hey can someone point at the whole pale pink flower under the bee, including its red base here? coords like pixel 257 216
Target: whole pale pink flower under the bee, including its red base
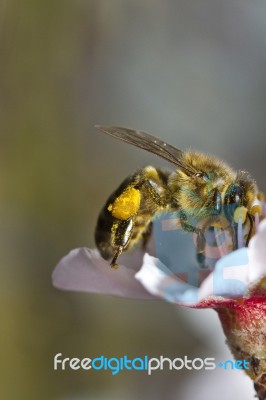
pixel 235 287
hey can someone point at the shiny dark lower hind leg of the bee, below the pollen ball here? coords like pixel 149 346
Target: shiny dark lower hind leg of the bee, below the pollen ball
pixel 121 233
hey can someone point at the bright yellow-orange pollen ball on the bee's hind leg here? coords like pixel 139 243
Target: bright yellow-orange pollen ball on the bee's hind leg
pixel 126 205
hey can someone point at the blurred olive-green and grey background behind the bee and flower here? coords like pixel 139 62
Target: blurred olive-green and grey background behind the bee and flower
pixel 191 72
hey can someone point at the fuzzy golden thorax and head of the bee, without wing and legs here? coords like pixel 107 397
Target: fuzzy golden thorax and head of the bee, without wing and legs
pixel 210 185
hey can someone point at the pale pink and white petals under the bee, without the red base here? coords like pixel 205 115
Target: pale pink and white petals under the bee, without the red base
pixel 144 276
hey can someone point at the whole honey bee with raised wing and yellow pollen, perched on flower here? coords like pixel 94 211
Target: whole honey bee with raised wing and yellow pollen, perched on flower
pixel 201 187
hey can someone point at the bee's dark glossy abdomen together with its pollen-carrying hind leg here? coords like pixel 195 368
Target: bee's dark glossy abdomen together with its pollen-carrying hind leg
pixel 126 216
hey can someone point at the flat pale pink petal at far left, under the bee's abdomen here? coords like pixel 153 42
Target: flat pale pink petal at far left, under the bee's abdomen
pixel 86 271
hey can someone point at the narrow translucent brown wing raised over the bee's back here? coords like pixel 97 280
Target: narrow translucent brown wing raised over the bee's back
pixel 147 142
